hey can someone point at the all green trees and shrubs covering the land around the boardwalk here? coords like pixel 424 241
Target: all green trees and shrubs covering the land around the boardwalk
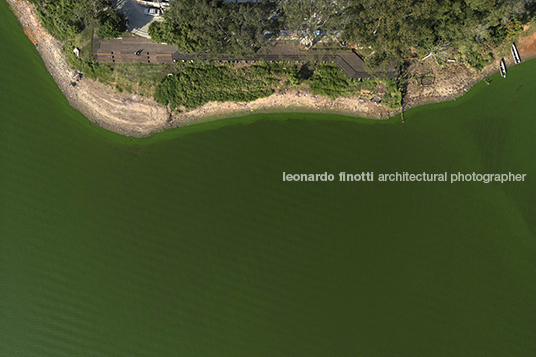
pixel 384 31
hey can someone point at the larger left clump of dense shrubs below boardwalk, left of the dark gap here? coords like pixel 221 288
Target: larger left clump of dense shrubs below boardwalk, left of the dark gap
pixel 194 84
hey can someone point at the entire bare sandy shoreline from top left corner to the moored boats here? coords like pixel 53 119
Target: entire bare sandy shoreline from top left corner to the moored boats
pixel 137 116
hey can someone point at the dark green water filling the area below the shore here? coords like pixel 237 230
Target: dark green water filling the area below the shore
pixel 189 243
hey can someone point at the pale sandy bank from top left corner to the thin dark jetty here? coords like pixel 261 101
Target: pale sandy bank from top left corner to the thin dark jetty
pixel 139 116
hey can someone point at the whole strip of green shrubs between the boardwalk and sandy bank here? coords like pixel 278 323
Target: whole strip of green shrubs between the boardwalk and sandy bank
pixel 194 84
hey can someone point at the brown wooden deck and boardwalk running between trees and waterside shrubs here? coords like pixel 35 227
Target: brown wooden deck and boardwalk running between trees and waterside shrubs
pixel 123 50
